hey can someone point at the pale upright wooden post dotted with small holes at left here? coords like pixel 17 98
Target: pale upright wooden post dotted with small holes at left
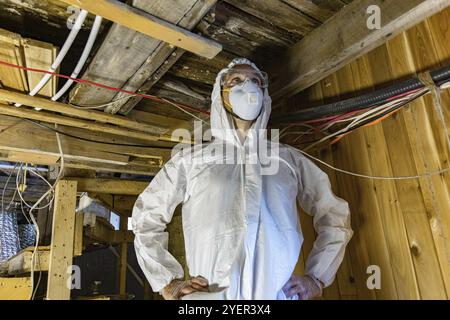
pixel 61 249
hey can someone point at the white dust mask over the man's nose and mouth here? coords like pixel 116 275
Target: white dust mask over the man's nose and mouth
pixel 246 100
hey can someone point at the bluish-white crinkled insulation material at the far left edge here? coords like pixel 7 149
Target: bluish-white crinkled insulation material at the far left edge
pixel 9 235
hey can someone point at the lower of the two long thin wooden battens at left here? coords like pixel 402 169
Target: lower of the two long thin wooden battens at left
pixel 73 122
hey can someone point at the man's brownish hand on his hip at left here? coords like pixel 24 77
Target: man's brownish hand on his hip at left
pixel 179 288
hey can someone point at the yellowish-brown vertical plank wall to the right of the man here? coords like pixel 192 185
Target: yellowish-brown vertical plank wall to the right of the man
pixel 401 226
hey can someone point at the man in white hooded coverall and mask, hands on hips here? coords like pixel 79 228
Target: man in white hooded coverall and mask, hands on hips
pixel 241 227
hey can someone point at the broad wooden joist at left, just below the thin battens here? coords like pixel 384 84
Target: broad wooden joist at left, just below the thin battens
pixel 21 141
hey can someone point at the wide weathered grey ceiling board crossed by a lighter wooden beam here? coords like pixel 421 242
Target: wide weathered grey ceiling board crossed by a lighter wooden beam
pixel 146 59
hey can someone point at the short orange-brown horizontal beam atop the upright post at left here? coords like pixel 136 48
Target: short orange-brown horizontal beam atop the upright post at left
pixel 111 186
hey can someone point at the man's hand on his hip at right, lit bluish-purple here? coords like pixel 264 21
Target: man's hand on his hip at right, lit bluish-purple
pixel 304 286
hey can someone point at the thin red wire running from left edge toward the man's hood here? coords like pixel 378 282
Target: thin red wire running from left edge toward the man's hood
pixel 96 84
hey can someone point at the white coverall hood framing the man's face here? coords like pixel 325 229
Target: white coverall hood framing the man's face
pixel 222 125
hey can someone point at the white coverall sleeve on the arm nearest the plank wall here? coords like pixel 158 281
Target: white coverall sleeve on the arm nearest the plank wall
pixel 331 219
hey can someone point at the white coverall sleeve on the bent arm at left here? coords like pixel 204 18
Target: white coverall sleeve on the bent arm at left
pixel 152 211
